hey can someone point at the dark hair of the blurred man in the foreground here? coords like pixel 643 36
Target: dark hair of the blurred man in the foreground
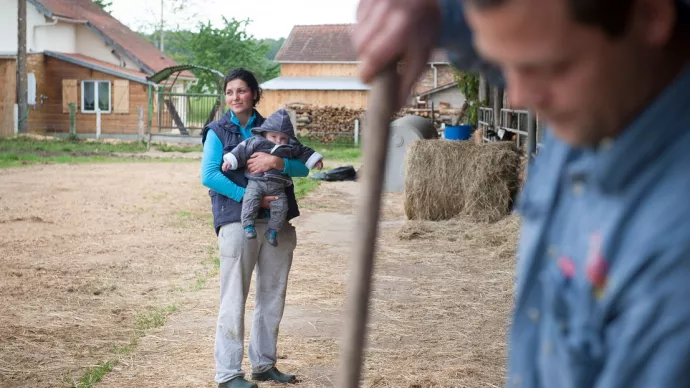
pixel 610 15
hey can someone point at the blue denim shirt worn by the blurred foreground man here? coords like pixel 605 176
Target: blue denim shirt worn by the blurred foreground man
pixel 603 278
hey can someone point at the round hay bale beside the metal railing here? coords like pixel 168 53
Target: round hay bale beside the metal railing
pixel 445 179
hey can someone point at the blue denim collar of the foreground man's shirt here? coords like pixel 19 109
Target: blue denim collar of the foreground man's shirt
pixel 616 162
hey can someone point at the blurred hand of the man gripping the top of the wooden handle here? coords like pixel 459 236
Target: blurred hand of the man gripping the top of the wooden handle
pixel 394 30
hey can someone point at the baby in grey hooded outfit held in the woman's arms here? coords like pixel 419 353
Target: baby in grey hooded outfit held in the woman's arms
pixel 275 136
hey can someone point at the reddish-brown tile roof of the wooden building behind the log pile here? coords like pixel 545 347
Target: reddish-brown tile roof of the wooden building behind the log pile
pixel 326 43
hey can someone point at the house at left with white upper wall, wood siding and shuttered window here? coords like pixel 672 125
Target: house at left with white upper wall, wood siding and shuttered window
pixel 78 53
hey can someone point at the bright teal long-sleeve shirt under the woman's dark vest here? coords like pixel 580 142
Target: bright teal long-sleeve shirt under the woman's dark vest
pixel 212 159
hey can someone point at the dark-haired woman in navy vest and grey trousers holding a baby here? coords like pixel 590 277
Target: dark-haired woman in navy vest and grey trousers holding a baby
pixel 239 256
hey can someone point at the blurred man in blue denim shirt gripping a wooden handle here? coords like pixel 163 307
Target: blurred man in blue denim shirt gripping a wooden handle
pixel 603 277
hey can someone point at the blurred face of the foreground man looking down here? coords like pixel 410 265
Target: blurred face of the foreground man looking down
pixel 577 78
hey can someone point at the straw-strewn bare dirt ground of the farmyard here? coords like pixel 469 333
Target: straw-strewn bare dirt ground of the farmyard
pixel 88 252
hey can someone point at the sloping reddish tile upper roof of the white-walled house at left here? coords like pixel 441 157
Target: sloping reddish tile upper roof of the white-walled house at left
pixel 149 57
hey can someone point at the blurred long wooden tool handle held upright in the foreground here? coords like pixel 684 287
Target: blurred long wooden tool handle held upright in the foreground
pixel 382 105
